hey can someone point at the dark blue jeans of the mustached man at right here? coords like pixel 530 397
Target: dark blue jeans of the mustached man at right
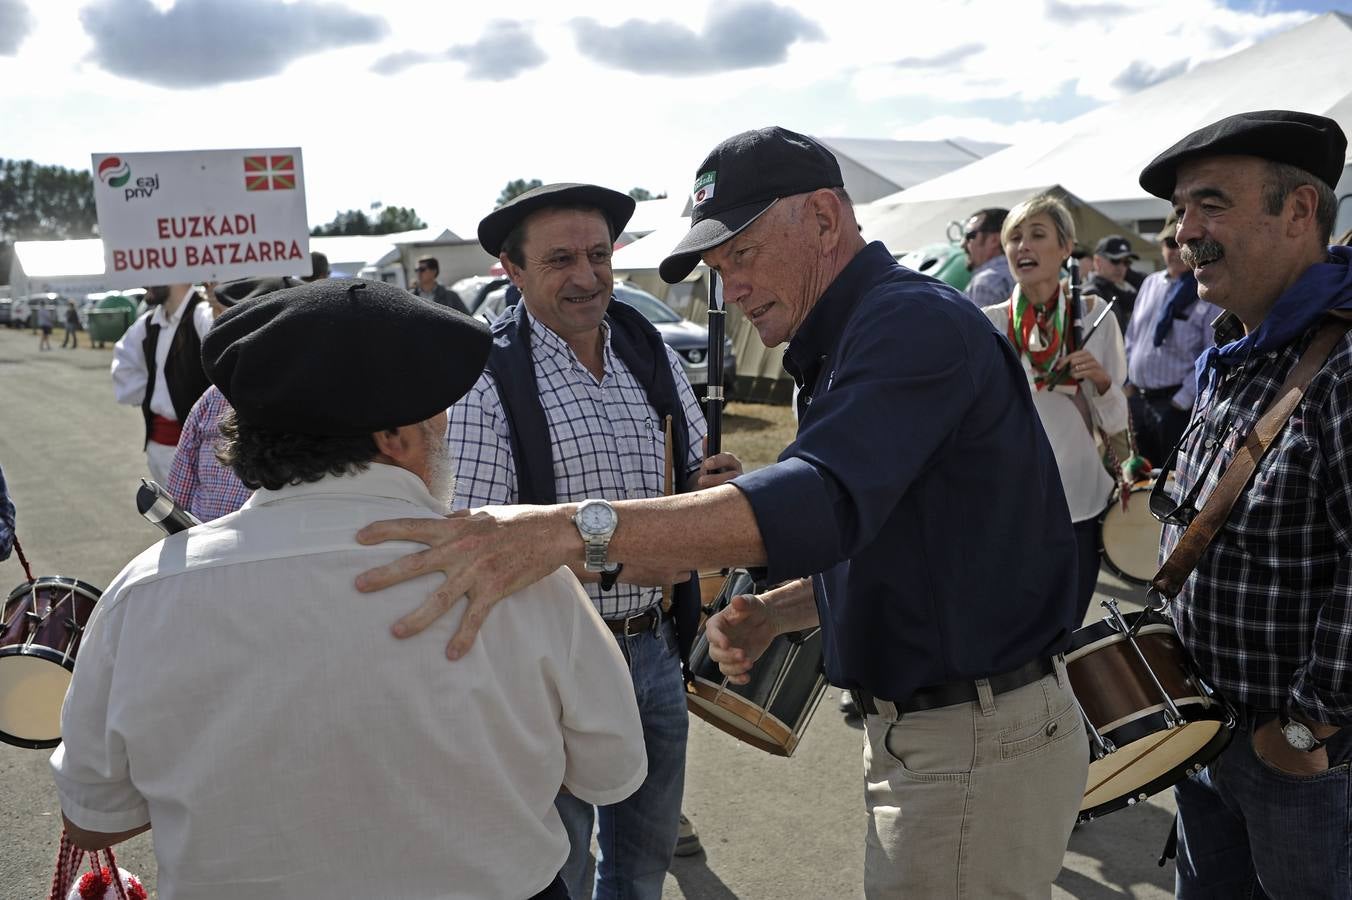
pixel 1247 830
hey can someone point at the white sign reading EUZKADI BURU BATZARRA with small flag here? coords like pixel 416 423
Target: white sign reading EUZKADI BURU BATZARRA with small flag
pixel 201 216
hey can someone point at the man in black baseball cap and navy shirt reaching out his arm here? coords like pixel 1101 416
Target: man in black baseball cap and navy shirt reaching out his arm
pixel 944 586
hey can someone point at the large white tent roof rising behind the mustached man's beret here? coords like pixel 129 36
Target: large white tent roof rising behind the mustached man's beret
pixel 1100 155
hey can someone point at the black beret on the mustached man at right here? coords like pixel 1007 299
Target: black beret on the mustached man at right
pixel 1303 140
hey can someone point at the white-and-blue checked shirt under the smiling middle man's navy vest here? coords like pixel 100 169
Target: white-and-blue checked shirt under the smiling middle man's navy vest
pixel 608 443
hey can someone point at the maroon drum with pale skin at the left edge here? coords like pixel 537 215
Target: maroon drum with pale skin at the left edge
pixel 40 636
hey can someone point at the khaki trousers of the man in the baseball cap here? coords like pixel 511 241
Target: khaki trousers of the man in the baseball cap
pixel 978 799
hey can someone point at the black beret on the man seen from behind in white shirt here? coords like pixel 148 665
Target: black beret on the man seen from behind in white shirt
pixel 341 359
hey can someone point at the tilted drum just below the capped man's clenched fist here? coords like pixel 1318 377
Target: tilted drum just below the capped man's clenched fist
pixel 774 709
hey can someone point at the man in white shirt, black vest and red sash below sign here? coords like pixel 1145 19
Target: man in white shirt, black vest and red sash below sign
pixel 158 367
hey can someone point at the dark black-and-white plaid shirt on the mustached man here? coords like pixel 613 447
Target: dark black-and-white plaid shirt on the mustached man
pixel 1269 613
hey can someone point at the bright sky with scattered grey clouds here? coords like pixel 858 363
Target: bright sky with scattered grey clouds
pixel 439 105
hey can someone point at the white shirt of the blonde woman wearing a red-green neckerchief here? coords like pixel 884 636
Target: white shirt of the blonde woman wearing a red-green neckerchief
pixel 1078 455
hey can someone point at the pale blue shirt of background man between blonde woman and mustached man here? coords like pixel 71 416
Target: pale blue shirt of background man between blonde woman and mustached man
pixel 1174 361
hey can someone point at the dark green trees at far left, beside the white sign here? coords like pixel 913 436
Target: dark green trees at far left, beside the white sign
pixel 43 203
